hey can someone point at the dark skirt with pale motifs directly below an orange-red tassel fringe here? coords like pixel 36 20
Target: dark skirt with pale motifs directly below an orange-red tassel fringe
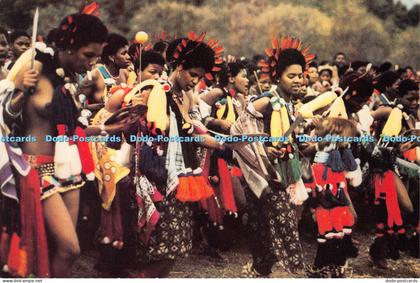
pixel 172 236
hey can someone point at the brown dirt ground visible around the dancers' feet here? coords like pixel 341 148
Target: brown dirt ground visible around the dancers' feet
pixel 199 265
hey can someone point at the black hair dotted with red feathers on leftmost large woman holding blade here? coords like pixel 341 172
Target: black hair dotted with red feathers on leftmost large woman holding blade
pixel 78 30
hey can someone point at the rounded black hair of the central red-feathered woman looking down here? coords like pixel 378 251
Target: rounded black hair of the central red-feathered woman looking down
pixel 198 55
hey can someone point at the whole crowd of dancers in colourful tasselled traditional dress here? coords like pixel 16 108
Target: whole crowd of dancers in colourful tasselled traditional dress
pixel 138 146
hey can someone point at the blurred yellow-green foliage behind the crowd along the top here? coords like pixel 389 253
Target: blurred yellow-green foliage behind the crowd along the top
pixel 375 30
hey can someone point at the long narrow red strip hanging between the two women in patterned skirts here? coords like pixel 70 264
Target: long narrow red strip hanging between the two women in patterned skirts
pixel 226 187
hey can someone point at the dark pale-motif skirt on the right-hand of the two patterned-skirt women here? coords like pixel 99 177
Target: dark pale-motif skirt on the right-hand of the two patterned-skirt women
pixel 273 231
